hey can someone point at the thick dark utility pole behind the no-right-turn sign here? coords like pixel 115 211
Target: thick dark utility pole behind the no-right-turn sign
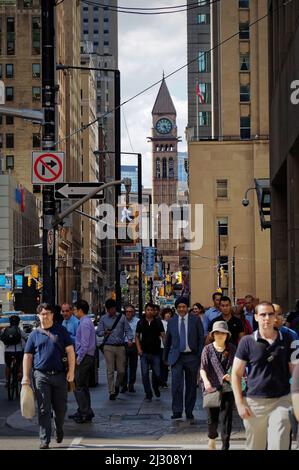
pixel 48 142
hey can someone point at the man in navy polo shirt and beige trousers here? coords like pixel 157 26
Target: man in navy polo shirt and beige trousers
pixel 265 410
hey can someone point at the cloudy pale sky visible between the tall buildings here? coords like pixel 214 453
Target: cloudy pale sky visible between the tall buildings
pixel 149 45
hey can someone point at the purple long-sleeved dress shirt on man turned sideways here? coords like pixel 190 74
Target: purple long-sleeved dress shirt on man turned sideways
pixel 85 339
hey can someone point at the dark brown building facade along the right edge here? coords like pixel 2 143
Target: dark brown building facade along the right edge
pixel 284 150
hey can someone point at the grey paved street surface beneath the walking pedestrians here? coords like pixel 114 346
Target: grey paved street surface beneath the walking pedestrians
pixel 126 423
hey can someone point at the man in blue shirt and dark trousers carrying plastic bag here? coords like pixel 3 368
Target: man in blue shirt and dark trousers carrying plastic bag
pixel 45 349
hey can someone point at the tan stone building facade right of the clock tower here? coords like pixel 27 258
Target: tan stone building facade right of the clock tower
pixel 228 146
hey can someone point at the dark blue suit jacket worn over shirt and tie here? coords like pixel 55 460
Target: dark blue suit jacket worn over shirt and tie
pixel 172 342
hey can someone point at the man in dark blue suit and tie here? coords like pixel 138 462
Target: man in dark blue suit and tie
pixel 182 351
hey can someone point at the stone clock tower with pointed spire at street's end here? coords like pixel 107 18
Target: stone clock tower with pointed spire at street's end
pixel 165 171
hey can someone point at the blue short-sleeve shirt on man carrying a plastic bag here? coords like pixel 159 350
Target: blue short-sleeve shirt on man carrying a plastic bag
pixel 47 352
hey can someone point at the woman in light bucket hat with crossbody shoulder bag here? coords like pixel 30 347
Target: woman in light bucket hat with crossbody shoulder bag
pixel 216 362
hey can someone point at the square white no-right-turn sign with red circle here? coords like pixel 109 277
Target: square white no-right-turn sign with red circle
pixel 47 167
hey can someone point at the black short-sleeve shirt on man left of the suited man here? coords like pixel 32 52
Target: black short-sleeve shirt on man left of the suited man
pixel 150 335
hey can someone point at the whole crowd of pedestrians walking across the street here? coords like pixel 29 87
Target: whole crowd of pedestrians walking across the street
pixel 241 357
